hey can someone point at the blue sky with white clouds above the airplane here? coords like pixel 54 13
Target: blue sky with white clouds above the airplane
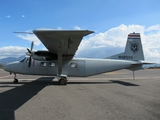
pixel 112 21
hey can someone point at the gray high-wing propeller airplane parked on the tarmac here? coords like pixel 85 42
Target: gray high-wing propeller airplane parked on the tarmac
pixel 59 60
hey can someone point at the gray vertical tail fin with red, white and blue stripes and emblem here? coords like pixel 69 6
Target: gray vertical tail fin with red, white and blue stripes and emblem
pixel 133 50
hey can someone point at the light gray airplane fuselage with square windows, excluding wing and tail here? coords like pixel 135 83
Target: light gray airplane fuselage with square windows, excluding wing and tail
pixel 78 67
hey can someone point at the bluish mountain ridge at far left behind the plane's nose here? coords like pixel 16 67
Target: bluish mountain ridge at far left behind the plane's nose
pixel 4 61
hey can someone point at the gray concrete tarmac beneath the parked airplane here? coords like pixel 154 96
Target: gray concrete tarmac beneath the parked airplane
pixel 111 96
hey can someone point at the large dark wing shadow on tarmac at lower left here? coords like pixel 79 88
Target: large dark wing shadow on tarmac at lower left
pixel 12 99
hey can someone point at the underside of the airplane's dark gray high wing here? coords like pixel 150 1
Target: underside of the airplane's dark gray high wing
pixel 64 41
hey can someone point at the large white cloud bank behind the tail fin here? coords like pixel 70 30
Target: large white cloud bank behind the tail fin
pixel 113 41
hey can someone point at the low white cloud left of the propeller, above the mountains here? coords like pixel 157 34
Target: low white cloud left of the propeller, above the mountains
pixel 12 51
